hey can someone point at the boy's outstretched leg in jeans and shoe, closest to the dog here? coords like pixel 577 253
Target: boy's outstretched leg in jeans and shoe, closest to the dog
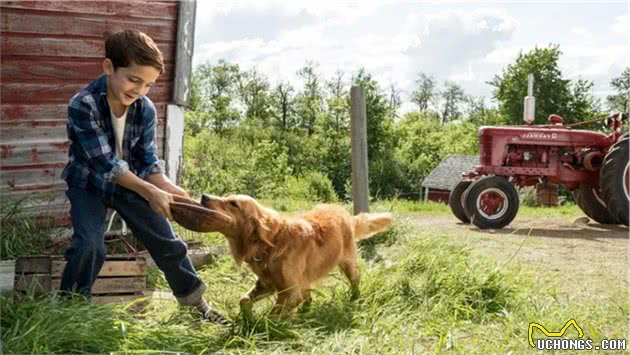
pixel 168 251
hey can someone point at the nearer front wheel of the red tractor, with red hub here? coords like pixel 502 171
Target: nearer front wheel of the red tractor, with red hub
pixel 491 202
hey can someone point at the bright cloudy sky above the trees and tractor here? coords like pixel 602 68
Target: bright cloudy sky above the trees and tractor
pixel 466 41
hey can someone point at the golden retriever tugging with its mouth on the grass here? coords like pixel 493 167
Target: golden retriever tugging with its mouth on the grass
pixel 289 253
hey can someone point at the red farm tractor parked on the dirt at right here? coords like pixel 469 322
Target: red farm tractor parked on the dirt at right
pixel 593 165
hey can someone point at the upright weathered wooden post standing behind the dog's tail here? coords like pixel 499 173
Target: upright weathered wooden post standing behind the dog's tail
pixel 358 127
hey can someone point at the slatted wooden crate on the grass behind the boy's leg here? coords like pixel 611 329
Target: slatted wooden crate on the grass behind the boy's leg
pixel 122 278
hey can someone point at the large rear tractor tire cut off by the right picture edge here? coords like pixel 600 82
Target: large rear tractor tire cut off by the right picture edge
pixel 614 179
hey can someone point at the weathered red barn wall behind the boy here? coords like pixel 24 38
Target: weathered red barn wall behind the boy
pixel 49 50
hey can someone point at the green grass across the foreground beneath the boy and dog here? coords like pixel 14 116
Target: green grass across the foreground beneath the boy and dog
pixel 422 291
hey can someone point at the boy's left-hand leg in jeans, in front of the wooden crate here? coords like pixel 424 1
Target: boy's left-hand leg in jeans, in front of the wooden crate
pixel 87 254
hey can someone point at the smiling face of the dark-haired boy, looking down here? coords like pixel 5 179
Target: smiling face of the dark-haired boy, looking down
pixel 126 84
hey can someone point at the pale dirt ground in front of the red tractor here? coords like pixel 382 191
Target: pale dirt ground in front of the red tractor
pixel 575 257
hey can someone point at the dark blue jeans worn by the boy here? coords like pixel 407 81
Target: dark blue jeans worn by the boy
pixel 87 254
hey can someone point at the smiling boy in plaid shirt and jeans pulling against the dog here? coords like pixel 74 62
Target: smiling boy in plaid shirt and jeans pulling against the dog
pixel 113 163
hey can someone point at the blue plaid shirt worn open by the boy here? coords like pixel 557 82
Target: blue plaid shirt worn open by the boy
pixel 92 161
